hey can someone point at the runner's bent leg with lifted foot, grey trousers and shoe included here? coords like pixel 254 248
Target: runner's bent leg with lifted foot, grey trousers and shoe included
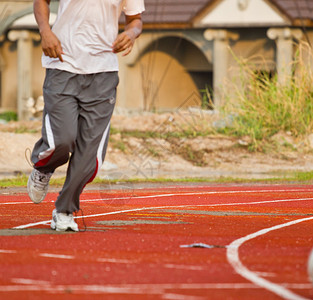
pixel 59 130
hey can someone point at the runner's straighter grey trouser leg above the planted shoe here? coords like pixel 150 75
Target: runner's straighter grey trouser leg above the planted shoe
pixel 97 101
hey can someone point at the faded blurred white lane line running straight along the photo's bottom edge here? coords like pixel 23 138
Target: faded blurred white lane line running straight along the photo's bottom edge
pixel 147 289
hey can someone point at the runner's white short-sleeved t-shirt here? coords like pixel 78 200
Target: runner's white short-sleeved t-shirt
pixel 87 30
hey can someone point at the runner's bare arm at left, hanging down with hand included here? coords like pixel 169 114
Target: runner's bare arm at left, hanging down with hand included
pixel 51 46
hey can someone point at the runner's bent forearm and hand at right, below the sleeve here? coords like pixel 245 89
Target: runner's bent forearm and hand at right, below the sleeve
pixel 125 41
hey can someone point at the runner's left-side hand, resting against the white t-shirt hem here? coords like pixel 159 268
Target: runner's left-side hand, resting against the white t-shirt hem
pixel 51 46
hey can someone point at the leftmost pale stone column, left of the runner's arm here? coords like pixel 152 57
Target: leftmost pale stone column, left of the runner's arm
pixel 24 40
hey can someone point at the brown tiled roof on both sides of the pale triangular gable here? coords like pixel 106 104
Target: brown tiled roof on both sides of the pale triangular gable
pixel 183 12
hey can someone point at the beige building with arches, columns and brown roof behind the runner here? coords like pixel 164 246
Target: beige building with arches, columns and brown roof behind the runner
pixel 187 46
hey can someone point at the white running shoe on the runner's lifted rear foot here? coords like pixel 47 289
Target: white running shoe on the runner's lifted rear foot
pixel 37 185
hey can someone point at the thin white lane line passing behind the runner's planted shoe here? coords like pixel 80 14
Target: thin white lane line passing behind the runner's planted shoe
pixel 165 207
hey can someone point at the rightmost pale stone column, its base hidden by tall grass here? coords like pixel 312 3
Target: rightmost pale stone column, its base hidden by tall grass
pixel 284 55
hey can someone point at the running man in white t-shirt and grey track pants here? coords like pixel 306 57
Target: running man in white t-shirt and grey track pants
pixel 79 54
